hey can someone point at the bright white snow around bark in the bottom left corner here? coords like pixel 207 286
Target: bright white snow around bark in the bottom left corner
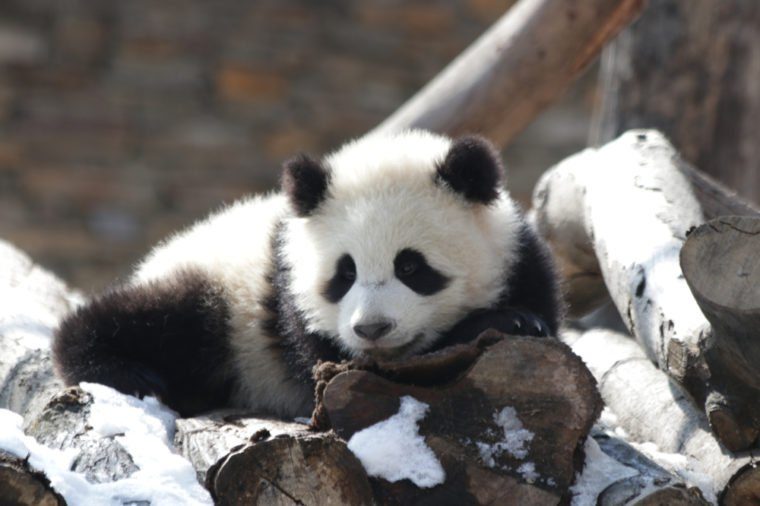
pixel 143 427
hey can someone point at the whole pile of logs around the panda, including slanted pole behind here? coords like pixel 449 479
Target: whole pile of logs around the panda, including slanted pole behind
pixel 663 306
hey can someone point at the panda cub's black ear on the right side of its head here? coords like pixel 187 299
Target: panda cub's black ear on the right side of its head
pixel 473 169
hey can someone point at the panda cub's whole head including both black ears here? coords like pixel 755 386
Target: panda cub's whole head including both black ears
pixel 395 238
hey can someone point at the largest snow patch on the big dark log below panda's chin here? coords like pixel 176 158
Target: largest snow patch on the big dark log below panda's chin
pixel 394 450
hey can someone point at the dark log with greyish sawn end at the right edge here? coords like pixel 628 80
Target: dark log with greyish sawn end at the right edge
pixel 719 261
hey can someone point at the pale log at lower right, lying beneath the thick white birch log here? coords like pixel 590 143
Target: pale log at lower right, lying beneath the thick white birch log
pixel 651 407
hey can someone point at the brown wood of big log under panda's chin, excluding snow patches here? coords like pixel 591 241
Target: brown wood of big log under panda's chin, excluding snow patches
pixel 550 390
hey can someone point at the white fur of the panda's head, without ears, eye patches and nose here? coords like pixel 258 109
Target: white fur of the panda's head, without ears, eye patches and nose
pixel 381 200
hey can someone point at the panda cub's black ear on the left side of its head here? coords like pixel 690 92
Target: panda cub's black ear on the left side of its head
pixel 304 181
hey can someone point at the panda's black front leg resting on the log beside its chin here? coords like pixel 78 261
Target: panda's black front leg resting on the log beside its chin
pixel 510 320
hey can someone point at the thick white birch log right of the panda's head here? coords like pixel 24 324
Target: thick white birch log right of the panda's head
pixel 627 208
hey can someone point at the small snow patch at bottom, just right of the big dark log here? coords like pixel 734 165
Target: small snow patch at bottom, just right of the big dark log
pixel 599 472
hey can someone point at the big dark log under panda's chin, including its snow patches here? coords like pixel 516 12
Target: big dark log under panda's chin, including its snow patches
pixel 506 423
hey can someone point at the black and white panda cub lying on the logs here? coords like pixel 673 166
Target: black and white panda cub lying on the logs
pixel 391 246
